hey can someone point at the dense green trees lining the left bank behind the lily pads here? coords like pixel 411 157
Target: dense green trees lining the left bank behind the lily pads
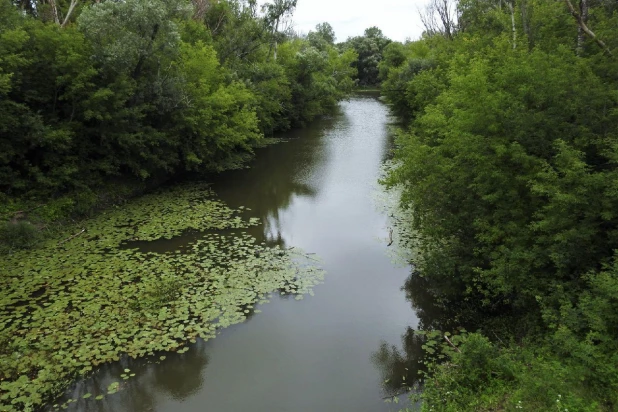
pixel 144 89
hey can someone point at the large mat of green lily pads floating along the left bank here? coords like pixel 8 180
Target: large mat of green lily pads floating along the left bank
pixel 82 300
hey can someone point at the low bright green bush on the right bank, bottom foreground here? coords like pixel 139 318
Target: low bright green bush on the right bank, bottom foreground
pixel 482 376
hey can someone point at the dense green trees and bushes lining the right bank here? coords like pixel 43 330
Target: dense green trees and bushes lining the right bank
pixel 509 168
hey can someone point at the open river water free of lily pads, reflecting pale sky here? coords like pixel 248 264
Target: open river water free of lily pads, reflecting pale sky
pixel 316 191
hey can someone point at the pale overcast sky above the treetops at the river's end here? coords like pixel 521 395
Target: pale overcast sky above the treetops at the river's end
pixel 398 19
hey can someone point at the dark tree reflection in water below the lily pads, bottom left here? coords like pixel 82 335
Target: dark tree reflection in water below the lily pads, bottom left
pixel 178 377
